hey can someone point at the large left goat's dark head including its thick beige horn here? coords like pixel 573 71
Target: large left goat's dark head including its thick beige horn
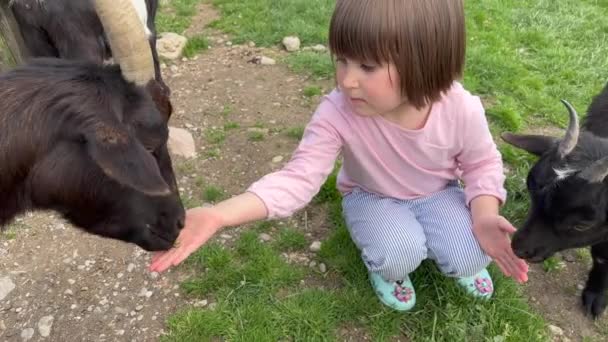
pixel 135 196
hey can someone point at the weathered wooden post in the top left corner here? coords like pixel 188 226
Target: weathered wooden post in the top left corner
pixel 12 48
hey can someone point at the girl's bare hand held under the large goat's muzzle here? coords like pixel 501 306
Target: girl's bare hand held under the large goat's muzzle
pixel 201 224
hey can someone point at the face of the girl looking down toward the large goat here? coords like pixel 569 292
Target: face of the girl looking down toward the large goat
pixel 371 89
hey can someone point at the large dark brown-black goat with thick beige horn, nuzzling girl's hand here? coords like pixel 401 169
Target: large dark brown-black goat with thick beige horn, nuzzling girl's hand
pixel 90 142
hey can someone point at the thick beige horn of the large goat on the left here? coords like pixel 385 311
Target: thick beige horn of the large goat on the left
pixel 127 39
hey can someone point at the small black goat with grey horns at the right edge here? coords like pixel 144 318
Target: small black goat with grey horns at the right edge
pixel 569 196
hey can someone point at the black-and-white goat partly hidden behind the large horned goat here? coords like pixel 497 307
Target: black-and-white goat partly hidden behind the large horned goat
pixel 72 29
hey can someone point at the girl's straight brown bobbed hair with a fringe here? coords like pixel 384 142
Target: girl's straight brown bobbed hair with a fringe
pixel 425 39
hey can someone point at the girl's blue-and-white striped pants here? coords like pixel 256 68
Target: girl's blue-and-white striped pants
pixel 395 236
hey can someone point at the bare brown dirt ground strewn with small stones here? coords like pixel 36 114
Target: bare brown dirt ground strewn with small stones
pixel 58 282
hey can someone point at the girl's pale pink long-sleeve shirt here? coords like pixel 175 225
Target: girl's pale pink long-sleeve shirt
pixel 383 158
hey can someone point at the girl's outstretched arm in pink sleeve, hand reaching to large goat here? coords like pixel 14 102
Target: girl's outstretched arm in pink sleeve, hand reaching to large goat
pixel 278 194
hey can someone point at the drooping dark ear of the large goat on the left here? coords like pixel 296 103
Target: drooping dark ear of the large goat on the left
pixel 124 159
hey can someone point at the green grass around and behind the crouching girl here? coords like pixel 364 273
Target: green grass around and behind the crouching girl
pixel 522 57
